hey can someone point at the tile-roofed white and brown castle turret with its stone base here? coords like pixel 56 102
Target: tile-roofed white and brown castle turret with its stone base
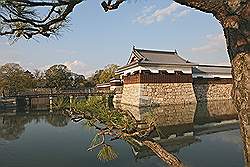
pixel 156 78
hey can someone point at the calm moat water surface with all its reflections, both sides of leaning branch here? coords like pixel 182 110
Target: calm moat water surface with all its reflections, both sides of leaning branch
pixel 205 134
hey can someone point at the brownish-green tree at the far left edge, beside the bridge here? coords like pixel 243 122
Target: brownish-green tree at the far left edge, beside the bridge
pixel 13 79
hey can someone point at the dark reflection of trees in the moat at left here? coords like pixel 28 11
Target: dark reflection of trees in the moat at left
pixel 13 126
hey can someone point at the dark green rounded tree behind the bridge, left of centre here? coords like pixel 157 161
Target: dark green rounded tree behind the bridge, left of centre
pixel 58 77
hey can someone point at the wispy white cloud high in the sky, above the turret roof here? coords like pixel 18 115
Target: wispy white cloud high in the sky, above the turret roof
pixel 150 16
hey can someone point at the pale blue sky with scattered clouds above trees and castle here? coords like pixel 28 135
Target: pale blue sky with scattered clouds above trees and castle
pixel 96 39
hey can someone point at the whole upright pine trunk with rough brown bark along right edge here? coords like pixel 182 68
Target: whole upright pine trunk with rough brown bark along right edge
pixel 236 28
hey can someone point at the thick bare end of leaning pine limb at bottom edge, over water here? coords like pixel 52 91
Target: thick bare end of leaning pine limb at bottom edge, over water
pixel 167 157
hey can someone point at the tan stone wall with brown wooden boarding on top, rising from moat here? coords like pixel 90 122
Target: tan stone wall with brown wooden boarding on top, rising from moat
pixel 159 89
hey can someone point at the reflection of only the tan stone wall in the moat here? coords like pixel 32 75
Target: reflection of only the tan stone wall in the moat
pixel 202 112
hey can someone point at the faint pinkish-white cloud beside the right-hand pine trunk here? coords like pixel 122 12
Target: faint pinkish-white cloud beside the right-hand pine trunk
pixel 214 43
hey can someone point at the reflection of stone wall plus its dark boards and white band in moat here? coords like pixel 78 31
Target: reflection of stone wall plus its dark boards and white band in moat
pixel 181 120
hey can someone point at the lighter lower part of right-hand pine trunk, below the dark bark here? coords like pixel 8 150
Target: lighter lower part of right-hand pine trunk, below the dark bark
pixel 240 94
